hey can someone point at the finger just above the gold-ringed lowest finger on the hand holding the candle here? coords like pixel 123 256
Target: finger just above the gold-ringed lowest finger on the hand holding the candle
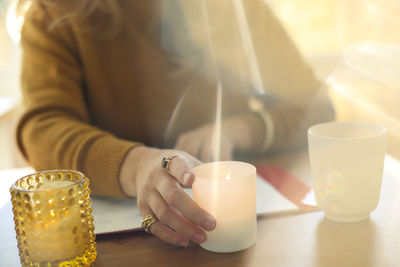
pixel 170 217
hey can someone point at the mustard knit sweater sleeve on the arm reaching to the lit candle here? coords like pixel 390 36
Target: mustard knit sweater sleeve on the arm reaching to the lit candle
pixel 54 131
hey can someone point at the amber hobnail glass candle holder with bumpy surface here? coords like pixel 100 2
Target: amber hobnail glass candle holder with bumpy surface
pixel 53 219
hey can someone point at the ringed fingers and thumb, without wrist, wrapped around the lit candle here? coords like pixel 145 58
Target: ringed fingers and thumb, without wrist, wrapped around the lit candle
pixel 180 219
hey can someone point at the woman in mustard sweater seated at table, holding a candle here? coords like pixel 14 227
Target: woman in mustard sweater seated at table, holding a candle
pixel 104 93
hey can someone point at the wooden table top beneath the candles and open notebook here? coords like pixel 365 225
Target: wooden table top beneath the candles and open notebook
pixel 283 240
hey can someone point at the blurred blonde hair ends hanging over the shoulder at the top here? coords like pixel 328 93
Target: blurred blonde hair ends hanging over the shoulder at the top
pixel 81 9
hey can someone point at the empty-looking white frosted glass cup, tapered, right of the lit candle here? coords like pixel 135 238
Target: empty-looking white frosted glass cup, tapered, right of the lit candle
pixel 347 160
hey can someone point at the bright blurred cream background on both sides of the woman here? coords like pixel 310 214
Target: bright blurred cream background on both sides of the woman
pixel 353 47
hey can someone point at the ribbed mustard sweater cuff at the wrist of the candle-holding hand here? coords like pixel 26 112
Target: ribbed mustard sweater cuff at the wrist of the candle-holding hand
pixel 103 164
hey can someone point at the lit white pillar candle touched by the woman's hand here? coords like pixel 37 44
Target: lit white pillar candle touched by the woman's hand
pixel 227 190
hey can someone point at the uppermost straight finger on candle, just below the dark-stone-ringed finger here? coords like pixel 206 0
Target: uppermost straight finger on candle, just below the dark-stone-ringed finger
pixel 174 195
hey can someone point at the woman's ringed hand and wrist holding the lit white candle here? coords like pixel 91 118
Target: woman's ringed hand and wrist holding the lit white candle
pixel 180 219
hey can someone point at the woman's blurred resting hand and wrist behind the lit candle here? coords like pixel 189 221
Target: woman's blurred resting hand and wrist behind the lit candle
pixel 242 133
